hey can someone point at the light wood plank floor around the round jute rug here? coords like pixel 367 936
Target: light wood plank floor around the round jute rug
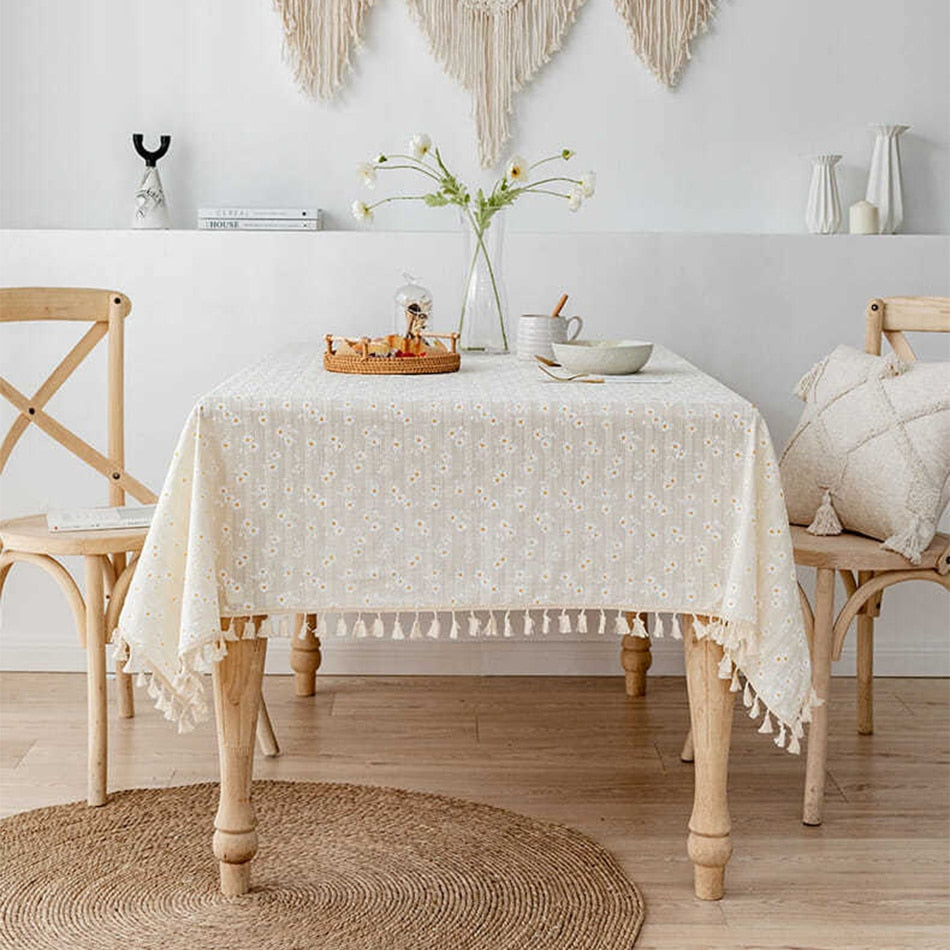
pixel 577 751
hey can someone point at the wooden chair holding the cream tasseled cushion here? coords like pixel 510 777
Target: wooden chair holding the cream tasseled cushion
pixel 865 568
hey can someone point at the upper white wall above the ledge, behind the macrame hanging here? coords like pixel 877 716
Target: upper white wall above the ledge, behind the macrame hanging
pixel 772 82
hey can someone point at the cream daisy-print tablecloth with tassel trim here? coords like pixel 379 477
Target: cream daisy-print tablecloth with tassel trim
pixel 490 502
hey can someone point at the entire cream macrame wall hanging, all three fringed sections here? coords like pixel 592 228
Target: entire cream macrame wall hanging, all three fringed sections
pixel 491 47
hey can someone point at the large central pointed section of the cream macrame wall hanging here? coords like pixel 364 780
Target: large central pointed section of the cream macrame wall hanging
pixel 493 47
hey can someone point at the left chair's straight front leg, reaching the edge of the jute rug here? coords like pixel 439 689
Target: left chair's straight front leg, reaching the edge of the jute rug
pixel 97 718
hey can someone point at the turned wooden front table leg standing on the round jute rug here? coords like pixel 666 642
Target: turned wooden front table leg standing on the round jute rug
pixel 237 699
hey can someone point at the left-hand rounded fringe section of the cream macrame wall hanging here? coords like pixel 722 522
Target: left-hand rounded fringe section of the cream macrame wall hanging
pixel 318 37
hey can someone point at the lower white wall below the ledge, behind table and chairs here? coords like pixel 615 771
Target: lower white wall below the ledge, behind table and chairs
pixel 754 311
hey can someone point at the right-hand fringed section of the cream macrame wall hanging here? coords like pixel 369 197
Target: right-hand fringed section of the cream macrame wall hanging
pixel 661 31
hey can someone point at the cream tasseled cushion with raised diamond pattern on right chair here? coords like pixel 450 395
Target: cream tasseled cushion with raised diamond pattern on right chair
pixel 875 436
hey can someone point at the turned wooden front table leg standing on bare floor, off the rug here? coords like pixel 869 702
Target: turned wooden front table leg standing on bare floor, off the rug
pixel 710 710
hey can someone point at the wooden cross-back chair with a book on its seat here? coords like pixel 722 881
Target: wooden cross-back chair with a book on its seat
pixel 106 553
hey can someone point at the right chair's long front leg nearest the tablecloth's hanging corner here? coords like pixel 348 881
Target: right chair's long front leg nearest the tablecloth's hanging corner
pixel 821 682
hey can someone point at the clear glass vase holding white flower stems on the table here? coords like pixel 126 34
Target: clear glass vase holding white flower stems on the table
pixel 482 325
